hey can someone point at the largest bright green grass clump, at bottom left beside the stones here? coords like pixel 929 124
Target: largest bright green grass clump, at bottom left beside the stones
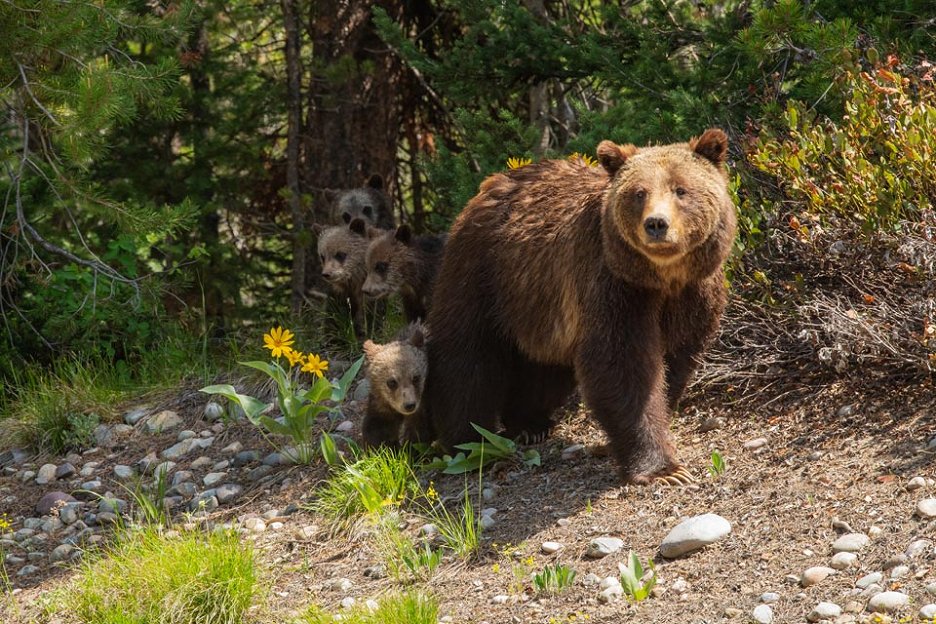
pixel 148 578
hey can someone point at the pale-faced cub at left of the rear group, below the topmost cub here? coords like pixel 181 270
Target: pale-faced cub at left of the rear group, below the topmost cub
pixel 342 250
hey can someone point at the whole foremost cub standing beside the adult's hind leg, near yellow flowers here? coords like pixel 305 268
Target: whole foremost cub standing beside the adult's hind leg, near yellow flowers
pixel 397 375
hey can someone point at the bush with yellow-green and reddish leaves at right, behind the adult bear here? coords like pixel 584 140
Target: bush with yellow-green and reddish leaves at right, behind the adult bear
pixel 875 165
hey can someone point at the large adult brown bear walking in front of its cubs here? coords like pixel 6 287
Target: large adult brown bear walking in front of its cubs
pixel 557 273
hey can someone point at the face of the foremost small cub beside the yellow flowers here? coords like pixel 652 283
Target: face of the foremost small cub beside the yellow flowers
pixel 397 374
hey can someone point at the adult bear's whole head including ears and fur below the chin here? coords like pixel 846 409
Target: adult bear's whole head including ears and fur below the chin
pixel 670 204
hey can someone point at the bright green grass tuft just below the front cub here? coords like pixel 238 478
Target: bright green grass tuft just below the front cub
pixel 378 479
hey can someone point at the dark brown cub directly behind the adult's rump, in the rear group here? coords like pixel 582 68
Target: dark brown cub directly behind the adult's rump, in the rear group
pixel 399 262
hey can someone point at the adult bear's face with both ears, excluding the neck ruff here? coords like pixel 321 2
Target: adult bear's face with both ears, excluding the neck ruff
pixel 666 201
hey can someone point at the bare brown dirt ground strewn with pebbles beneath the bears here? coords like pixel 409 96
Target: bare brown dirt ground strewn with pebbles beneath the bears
pixel 839 458
